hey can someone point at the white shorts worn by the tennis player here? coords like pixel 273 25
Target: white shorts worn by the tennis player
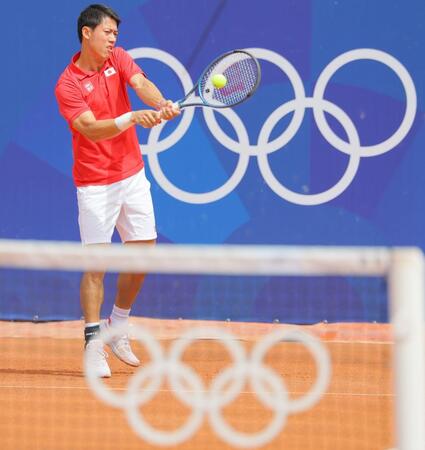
pixel 126 204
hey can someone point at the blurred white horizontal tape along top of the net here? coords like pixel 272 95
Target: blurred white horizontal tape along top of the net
pixel 217 259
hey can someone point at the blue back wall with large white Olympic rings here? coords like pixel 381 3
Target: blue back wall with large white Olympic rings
pixel 372 100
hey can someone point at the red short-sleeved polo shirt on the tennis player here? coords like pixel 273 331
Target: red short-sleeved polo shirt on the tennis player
pixel 104 92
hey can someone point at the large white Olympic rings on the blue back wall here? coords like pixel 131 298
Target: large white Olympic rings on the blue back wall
pixel 245 149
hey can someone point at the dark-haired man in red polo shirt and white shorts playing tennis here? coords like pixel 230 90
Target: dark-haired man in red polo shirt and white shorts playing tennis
pixel 108 171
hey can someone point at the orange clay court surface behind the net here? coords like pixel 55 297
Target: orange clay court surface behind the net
pixel 45 403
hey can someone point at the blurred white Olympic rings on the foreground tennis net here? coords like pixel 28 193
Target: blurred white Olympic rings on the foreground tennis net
pixel 189 388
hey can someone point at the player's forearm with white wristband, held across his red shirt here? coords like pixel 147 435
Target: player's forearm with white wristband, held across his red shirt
pixel 99 130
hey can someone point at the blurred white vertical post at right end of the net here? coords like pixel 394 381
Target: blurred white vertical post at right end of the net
pixel 407 314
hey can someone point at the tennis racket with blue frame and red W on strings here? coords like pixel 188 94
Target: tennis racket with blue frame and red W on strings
pixel 243 73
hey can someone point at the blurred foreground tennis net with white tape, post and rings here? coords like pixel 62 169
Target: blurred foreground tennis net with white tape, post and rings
pixel 241 347
